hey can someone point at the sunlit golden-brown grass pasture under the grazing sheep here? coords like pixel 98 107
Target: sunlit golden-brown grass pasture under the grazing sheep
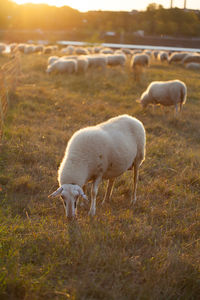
pixel 149 251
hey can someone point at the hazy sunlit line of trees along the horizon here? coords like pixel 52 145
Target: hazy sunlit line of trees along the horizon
pixel 155 20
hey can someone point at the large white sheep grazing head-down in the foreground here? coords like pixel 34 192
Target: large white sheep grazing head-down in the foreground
pixel 94 153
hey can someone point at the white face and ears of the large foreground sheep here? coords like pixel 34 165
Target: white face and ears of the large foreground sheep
pixel 69 194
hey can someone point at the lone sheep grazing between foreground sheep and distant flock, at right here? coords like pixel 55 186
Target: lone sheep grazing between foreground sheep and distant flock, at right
pixel 166 93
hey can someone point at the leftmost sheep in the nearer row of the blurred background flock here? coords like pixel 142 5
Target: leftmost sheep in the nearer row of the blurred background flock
pixel 62 65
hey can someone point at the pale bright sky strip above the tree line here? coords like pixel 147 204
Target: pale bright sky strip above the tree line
pixel 123 5
